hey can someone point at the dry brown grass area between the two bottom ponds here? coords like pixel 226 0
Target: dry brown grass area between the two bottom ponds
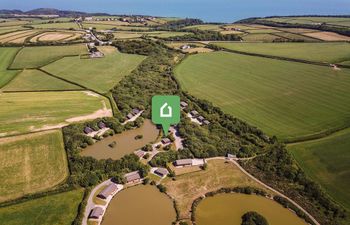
pixel 186 188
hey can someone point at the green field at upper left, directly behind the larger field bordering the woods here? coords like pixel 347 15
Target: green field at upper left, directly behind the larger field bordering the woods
pixel 34 57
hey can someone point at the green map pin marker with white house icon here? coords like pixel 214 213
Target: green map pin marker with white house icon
pixel 166 111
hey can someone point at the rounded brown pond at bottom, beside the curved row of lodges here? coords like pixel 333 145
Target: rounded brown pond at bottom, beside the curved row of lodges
pixel 140 205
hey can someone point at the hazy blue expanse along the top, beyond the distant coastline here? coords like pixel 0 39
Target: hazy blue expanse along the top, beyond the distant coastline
pixel 207 10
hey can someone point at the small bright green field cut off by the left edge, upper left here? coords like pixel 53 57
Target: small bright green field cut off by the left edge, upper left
pixel 6 56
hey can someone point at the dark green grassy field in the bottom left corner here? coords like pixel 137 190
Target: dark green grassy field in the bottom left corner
pixel 59 209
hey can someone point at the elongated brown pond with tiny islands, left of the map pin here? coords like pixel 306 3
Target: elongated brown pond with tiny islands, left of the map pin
pixel 125 143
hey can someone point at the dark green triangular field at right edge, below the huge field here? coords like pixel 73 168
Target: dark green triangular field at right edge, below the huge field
pixel 326 161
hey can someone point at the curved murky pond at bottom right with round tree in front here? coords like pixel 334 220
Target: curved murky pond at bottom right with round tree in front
pixel 227 209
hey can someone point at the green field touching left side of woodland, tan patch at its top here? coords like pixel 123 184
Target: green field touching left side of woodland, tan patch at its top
pixel 100 74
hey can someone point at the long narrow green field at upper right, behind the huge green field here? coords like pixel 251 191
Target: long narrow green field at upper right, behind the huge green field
pixel 317 52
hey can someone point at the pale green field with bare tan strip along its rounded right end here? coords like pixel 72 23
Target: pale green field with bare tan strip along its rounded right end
pixel 32 111
